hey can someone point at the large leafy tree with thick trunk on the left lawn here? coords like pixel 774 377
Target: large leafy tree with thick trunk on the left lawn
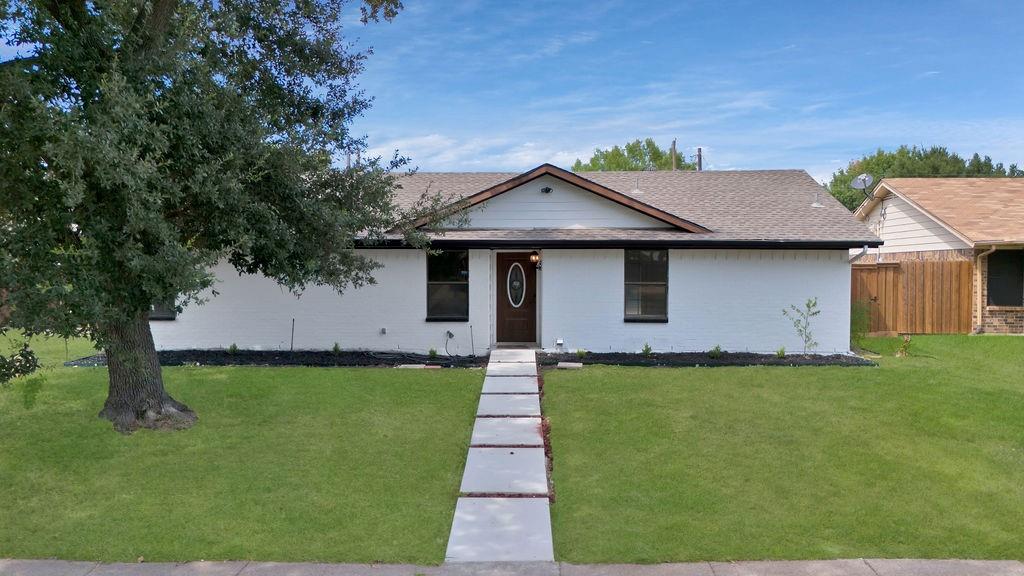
pixel 143 142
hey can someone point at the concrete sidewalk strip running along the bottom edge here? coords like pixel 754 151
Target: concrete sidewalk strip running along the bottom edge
pixel 775 568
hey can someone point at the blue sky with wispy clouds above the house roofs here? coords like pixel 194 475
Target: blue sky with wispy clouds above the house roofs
pixel 509 86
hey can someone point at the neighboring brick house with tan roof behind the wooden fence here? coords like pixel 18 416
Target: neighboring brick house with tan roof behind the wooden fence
pixel 976 221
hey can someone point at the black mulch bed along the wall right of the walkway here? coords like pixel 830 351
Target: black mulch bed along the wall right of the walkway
pixel 694 359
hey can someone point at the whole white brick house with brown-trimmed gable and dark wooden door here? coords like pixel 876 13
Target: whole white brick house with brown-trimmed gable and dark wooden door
pixel 602 262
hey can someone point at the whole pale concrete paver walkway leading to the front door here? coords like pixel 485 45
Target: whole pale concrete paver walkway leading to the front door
pixel 503 514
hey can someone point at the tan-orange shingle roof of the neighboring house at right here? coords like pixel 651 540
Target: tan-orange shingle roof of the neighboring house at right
pixel 979 212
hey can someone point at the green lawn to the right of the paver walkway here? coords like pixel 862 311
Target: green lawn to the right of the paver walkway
pixel 921 458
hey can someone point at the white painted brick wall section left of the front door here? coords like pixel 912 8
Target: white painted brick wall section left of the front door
pixel 254 313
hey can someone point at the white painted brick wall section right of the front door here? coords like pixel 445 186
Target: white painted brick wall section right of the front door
pixel 733 299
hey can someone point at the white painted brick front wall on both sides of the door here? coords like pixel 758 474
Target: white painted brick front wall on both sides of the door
pixel 733 299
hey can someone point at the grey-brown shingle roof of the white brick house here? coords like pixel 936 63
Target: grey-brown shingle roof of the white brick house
pixel 772 207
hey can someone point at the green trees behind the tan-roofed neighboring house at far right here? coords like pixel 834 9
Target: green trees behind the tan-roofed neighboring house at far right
pixel 913 162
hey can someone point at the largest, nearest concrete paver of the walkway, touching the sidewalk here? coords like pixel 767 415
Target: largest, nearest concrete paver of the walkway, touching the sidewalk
pixel 501 530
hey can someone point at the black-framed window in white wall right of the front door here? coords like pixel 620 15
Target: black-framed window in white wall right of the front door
pixel 647 286
